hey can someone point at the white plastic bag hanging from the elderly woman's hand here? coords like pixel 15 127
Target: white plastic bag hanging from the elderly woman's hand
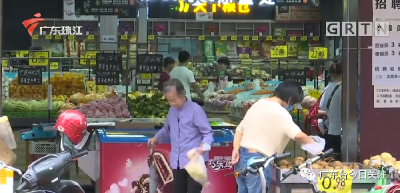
pixel 196 167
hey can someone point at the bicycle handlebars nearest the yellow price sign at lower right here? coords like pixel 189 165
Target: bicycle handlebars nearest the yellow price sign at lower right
pixel 307 164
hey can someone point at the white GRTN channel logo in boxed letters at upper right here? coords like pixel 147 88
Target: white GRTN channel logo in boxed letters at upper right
pixel 358 29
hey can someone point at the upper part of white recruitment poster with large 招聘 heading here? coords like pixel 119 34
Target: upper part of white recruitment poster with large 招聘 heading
pixel 386 49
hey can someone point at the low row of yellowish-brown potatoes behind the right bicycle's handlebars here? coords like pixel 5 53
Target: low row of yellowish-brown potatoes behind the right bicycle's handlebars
pixel 285 164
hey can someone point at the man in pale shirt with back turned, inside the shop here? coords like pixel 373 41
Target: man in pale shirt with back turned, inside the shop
pixel 185 76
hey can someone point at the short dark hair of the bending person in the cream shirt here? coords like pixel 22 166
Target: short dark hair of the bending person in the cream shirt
pixel 290 92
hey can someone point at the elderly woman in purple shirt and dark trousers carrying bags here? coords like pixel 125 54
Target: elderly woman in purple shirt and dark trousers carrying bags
pixel 187 126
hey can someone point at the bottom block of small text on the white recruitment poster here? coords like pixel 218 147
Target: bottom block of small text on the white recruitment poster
pixel 387 96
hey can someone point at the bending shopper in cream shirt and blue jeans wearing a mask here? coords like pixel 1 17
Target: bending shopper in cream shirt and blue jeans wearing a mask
pixel 266 129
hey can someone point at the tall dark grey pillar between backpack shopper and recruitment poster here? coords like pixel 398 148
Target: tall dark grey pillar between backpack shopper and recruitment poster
pixel 351 52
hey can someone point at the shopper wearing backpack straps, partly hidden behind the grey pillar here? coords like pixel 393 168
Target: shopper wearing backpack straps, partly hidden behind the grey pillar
pixel 331 102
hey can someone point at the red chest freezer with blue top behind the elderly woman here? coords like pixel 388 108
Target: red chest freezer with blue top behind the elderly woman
pixel 124 153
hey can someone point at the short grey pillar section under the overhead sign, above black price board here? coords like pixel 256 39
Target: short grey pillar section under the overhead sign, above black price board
pixel 109 33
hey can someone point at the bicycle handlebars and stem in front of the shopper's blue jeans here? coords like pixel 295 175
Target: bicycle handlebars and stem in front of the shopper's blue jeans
pixel 256 165
